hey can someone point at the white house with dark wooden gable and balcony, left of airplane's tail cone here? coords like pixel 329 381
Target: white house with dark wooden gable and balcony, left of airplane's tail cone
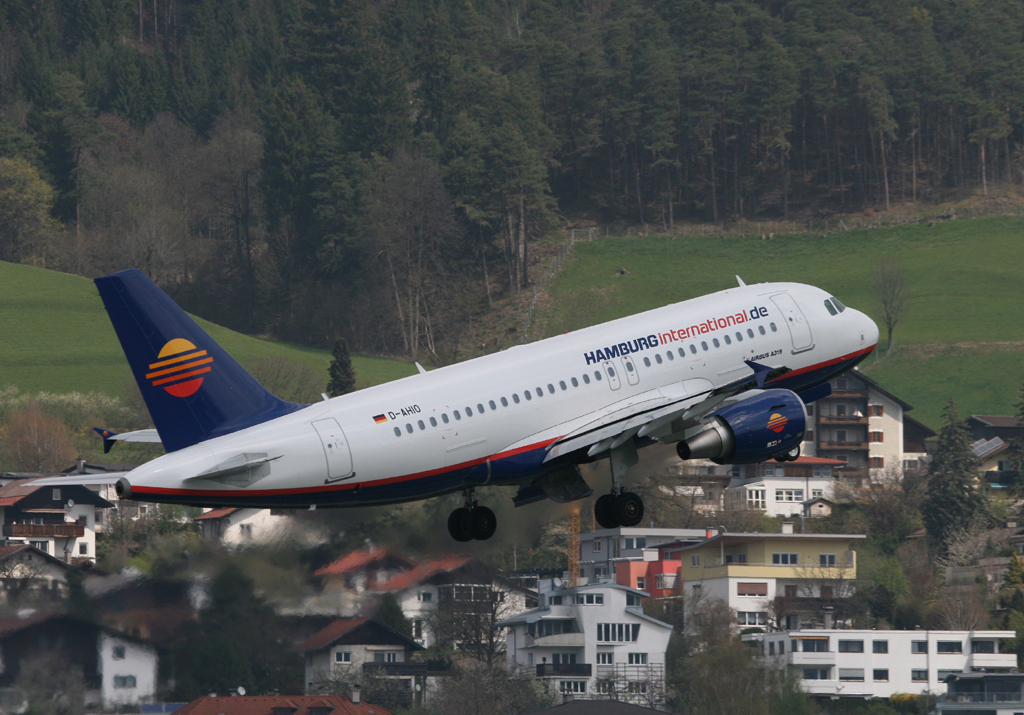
pixel 58 521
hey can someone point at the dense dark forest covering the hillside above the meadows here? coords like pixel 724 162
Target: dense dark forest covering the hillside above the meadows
pixel 378 170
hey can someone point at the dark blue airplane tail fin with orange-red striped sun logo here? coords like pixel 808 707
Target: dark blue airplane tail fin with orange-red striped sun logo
pixel 194 390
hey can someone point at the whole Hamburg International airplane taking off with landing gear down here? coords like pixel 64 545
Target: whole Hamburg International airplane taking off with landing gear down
pixel 727 377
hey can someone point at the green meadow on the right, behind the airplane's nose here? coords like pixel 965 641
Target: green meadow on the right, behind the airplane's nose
pixel 967 286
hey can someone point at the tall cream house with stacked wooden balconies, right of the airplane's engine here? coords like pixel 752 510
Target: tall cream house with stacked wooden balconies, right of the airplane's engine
pixel 866 427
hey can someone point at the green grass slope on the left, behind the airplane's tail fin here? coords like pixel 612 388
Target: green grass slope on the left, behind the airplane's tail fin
pixel 57 339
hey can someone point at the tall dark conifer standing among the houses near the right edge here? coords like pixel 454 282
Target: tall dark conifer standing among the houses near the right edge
pixel 954 499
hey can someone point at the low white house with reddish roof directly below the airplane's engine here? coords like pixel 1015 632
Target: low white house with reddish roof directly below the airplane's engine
pixel 782 489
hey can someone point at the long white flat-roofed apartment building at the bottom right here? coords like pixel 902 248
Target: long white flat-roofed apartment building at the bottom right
pixel 880 664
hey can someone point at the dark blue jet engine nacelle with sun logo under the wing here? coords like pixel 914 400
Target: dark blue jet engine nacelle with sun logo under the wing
pixel 754 431
